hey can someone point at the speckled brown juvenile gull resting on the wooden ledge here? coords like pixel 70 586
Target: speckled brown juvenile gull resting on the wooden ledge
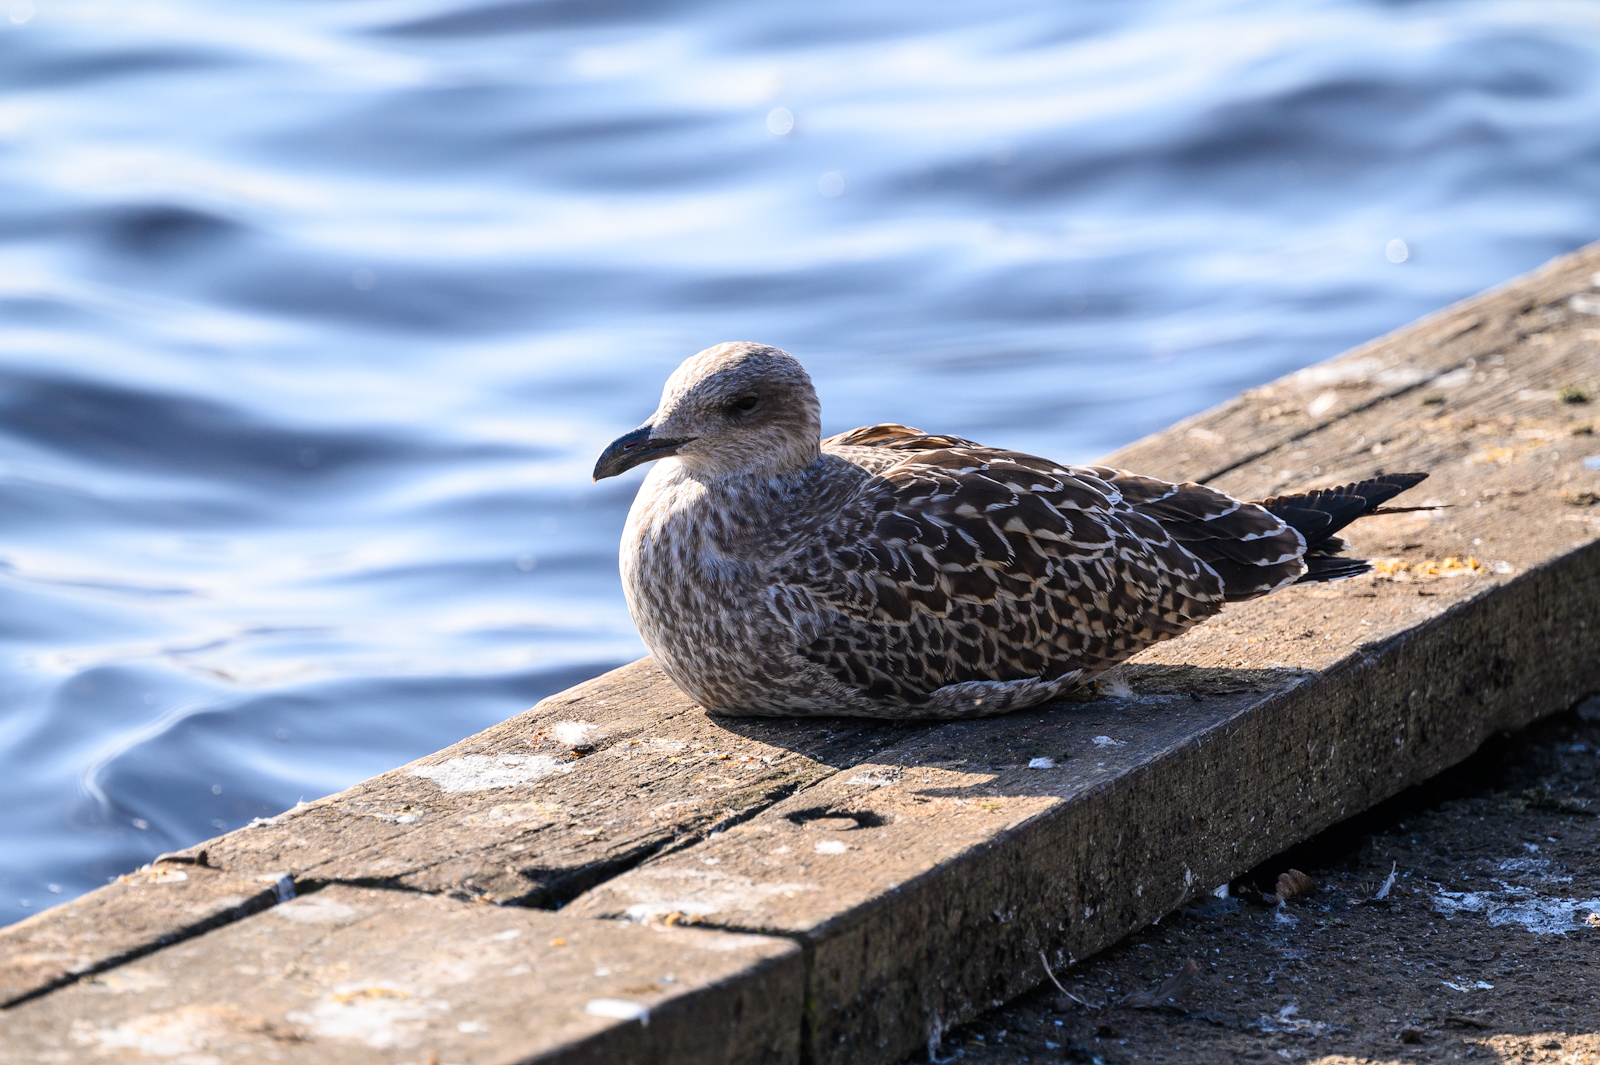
pixel 890 573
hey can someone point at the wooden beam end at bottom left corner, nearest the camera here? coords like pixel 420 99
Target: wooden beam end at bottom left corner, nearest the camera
pixel 359 975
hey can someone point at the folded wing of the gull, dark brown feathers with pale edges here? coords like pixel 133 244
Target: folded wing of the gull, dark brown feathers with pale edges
pixel 964 564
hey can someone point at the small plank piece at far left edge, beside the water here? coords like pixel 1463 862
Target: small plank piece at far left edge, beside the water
pixel 121 922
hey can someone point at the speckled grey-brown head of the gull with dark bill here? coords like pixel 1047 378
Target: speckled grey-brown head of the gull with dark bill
pixel 734 410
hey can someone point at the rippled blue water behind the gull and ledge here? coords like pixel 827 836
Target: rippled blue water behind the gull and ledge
pixel 316 316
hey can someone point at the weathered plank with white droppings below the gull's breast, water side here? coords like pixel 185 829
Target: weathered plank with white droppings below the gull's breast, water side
pixel 546 805
